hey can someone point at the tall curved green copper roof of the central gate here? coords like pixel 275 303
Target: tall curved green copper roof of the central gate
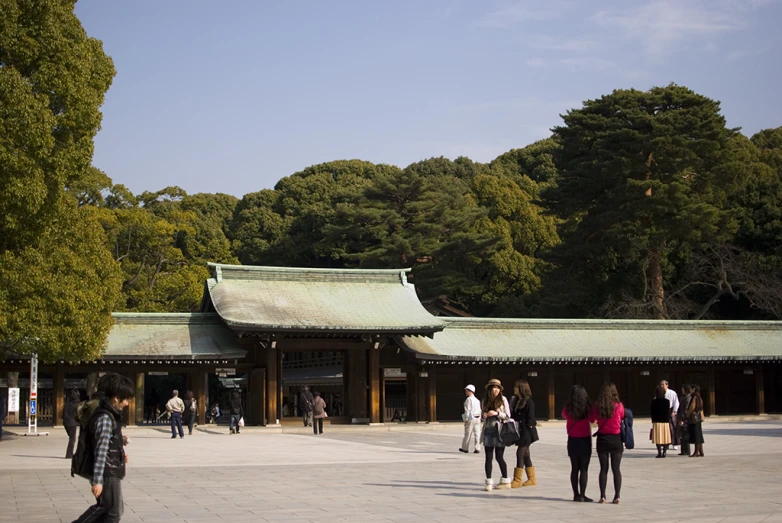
pixel 280 299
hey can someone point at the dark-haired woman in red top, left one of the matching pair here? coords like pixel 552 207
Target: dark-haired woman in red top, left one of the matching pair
pixel 579 441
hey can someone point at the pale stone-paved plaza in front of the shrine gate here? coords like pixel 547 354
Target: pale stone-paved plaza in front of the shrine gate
pixel 409 473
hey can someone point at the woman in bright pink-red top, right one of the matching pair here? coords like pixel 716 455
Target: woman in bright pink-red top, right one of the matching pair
pixel 608 413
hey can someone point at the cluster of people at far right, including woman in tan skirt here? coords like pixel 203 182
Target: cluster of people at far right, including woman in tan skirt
pixel 677 421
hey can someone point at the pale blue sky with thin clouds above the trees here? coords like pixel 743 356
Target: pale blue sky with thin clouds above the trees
pixel 232 96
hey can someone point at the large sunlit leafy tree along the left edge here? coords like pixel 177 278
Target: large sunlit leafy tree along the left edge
pixel 55 281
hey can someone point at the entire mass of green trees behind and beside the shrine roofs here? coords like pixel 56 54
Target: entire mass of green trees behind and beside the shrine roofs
pixel 641 204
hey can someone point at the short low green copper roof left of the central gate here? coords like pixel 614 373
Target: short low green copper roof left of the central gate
pixel 171 336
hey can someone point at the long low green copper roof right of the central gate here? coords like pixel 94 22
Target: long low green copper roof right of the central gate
pixel 491 339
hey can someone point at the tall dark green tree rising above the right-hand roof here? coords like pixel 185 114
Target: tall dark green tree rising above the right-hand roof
pixel 642 182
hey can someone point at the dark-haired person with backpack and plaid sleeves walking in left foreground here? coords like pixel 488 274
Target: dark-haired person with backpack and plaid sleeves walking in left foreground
pixel 106 441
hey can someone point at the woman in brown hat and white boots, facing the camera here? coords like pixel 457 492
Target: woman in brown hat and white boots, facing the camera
pixel 495 411
